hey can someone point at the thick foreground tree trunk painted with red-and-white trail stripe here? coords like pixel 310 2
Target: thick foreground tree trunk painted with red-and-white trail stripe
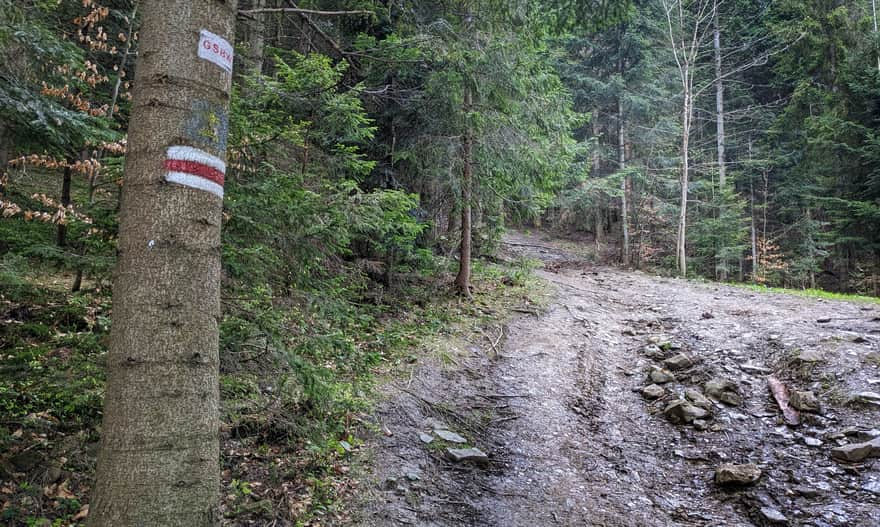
pixel 159 457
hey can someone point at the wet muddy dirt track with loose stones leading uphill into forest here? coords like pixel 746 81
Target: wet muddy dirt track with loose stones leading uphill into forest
pixel 556 402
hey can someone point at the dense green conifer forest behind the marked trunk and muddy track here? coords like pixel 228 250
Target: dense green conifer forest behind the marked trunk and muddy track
pixel 734 140
